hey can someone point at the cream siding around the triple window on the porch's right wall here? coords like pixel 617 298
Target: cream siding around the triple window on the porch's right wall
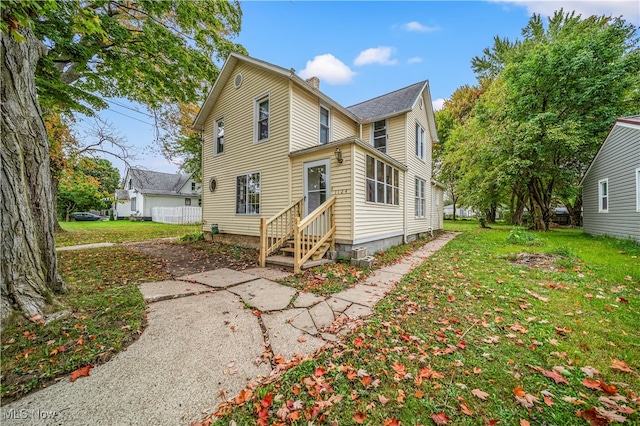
pixel 373 220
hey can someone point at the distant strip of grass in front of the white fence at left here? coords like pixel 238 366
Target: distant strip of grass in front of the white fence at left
pixel 117 231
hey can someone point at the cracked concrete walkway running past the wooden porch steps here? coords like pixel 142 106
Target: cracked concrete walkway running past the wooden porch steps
pixel 202 345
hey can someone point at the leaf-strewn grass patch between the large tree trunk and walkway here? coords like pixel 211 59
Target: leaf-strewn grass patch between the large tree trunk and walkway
pixel 106 313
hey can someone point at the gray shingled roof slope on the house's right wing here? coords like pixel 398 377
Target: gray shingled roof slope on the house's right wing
pixel 387 105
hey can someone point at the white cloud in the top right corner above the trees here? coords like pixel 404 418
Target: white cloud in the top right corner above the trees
pixel 628 9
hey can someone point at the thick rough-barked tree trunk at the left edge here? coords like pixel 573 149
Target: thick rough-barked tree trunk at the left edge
pixel 27 256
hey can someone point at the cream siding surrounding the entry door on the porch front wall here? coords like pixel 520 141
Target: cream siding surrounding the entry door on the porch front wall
pixel 340 183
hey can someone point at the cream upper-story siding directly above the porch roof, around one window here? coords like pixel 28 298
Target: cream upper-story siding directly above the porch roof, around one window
pixel 305 124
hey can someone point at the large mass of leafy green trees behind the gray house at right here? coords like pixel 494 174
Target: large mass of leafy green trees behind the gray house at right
pixel 548 102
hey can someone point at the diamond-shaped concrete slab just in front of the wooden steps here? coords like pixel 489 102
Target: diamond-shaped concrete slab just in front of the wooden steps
pixel 264 295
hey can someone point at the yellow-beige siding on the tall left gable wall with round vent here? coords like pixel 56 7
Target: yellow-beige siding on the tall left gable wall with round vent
pixel 241 155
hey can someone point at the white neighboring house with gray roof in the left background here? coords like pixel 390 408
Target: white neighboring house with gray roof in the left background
pixel 144 189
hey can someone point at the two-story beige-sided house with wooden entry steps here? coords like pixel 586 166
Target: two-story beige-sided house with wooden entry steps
pixel 288 169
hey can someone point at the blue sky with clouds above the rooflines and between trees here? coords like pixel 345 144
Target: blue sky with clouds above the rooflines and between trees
pixel 362 49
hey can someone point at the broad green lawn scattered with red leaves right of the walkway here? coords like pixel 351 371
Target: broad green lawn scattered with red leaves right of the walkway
pixel 470 337
